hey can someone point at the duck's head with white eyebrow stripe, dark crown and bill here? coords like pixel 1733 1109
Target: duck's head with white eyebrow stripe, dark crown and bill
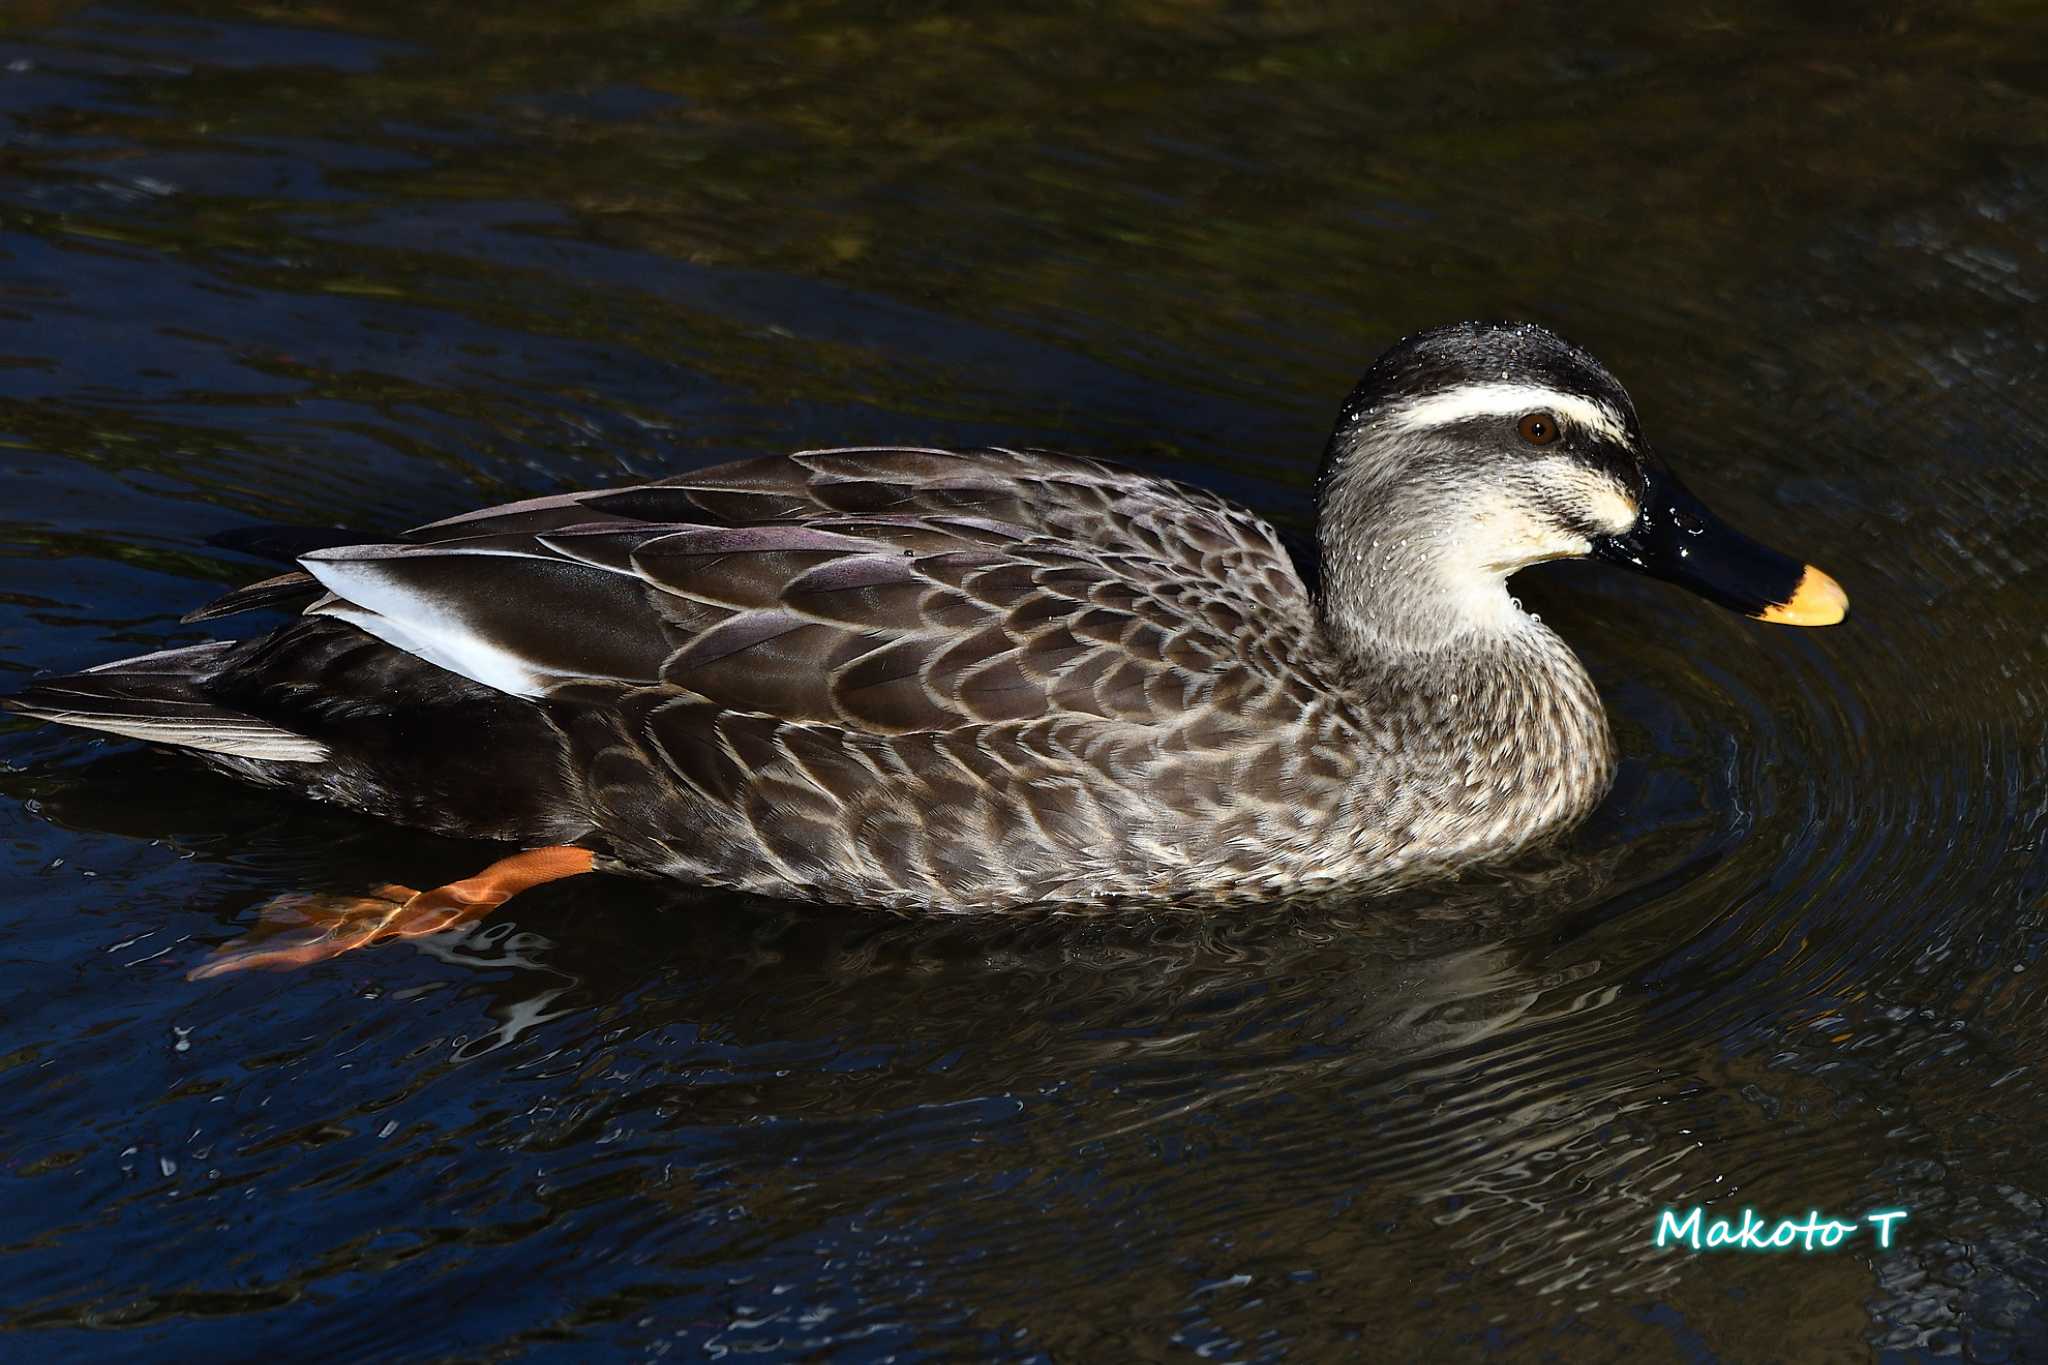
pixel 1480 449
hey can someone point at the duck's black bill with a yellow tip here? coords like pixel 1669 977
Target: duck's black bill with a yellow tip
pixel 1682 541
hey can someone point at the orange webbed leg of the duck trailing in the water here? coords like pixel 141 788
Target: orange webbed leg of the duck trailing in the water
pixel 298 930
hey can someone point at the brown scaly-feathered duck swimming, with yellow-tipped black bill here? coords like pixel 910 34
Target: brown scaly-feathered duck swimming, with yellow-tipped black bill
pixel 968 680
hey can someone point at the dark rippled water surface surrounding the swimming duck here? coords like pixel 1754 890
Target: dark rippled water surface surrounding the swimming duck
pixel 376 263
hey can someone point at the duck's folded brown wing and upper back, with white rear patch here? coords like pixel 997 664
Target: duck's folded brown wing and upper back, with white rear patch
pixel 906 611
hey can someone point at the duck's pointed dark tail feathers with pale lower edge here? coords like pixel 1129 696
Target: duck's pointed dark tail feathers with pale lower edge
pixel 159 699
